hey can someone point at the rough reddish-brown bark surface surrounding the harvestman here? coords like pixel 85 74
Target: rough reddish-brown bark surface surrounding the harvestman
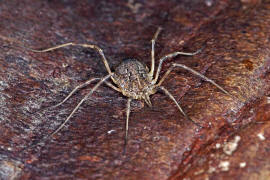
pixel 234 142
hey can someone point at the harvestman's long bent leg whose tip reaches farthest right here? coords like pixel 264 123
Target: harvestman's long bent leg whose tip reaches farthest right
pixel 194 72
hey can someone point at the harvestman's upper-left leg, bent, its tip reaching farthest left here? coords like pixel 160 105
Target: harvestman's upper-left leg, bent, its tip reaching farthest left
pixel 100 51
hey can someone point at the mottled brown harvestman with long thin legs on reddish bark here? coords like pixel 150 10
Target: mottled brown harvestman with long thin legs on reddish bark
pixel 132 79
